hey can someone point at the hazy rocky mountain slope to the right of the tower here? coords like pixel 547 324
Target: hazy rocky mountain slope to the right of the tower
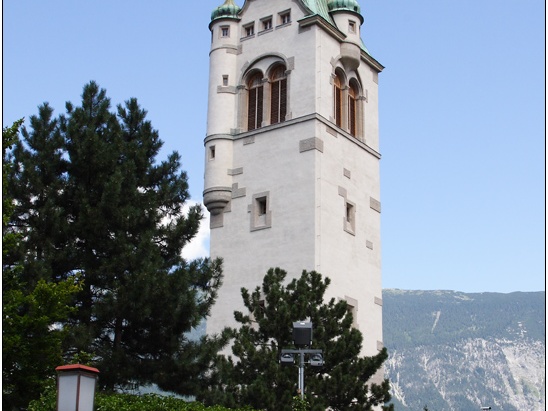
pixel 458 351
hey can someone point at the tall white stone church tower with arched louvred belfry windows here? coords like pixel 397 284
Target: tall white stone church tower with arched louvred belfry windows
pixel 292 153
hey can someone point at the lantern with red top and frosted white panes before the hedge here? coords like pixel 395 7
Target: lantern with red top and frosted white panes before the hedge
pixel 76 387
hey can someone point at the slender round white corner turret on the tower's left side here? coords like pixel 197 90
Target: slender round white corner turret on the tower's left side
pixel 222 104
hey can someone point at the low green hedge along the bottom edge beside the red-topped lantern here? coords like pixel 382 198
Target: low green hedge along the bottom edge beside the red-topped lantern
pixel 127 402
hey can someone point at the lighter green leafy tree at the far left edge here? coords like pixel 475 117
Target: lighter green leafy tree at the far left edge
pixel 31 341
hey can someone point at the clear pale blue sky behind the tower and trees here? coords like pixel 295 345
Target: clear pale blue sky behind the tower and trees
pixel 462 116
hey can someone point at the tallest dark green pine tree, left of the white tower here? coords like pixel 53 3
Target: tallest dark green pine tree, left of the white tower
pixel 93 200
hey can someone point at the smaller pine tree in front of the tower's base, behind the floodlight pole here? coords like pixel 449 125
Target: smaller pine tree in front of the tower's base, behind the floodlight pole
pixel 254 376
